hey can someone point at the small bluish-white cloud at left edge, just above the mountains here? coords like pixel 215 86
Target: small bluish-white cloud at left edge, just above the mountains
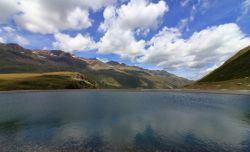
pixel 11 35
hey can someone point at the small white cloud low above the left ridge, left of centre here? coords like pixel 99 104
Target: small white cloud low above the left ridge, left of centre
pixel 77 43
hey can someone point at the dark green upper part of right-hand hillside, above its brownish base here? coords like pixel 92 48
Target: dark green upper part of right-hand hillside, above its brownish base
pixel 237 67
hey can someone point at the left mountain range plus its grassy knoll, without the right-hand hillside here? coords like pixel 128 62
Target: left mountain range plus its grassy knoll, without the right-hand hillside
pixel 28 69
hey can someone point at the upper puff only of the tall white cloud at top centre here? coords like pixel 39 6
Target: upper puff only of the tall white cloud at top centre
pixel 128 16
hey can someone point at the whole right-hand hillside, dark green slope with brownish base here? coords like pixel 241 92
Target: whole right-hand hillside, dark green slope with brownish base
pixel 233 74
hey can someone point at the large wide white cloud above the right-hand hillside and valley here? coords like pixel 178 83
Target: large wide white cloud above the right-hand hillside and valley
pixel 211 46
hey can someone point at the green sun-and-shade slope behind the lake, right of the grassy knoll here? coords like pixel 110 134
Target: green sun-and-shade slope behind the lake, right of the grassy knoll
pixel 133 79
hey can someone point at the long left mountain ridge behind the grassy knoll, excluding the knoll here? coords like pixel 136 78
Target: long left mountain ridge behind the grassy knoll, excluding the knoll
pixel 15 59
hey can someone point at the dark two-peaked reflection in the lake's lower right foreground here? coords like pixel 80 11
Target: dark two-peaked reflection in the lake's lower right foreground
pixel 150 141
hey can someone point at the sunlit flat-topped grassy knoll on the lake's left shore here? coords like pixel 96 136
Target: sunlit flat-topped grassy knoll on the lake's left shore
pixel 44 81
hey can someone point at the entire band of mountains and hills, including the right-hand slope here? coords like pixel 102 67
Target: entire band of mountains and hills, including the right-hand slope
pixel 23 69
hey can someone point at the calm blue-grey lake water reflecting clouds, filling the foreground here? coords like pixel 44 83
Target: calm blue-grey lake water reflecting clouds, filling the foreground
pixel 124 121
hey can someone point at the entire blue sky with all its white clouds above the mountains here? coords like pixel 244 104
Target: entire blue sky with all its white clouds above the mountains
pixel 186 37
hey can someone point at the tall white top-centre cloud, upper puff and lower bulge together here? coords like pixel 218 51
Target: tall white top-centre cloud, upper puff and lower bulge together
pixel 121 24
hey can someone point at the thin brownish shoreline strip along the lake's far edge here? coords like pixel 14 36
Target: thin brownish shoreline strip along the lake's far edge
pixel 224 91
